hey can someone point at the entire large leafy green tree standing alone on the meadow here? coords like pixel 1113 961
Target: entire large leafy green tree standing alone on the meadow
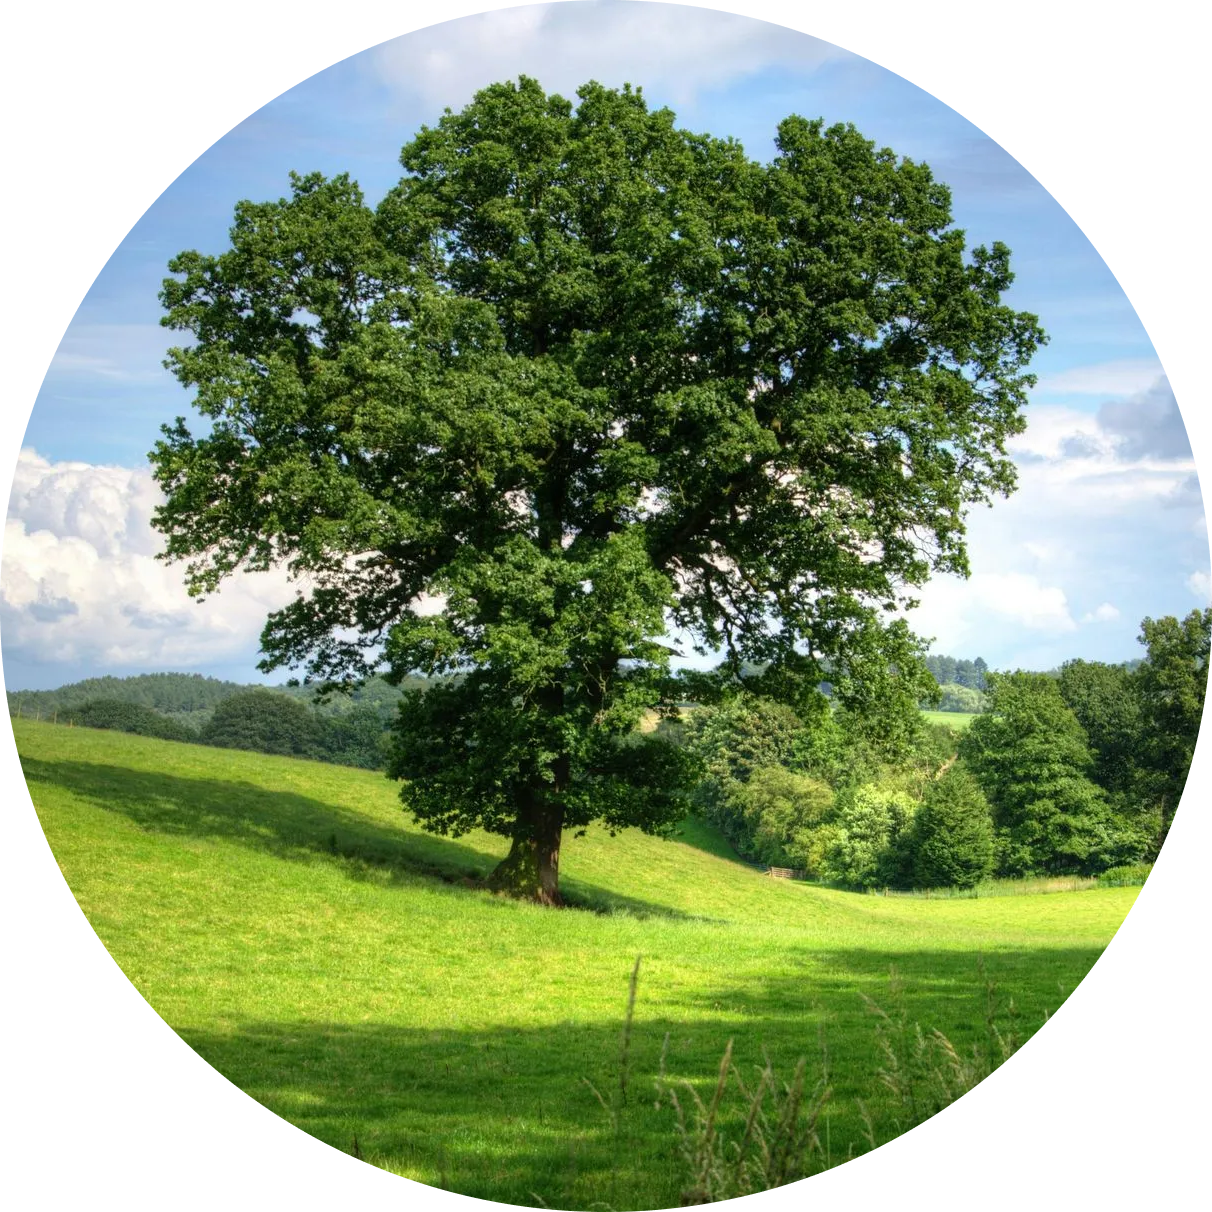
pixel 580 382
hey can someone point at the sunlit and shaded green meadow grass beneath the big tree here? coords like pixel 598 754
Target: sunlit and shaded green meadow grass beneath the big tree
pixel 345 969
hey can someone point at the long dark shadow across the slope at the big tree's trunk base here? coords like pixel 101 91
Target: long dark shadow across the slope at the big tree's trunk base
pixel 296 828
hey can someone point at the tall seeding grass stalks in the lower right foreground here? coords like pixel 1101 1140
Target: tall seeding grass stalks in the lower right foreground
pixel 752 1137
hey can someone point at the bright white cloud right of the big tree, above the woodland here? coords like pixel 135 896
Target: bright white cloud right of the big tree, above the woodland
pixel 1105 527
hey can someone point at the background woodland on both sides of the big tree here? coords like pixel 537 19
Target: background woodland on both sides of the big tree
pixel 1078 770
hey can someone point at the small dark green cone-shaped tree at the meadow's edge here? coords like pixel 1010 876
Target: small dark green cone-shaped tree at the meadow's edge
pixel 953 834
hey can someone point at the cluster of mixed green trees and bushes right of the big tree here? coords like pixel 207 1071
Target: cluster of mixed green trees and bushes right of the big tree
pixel 1077 771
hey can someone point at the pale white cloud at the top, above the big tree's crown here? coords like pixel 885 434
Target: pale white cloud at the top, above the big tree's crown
pixel 678 49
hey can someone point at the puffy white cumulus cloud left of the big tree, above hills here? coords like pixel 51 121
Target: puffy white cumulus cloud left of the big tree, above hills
pixel 81 585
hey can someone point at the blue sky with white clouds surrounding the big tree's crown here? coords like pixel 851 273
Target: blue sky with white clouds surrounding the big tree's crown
pixel 1108 525
